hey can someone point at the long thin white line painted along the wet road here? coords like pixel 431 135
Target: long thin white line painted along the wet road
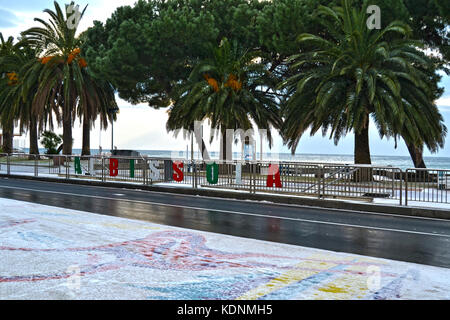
pixel 235 212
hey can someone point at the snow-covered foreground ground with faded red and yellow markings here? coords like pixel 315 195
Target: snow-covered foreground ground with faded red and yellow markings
pixel 54 253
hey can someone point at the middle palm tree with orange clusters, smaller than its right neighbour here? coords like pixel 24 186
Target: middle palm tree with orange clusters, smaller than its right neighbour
pixel 231 89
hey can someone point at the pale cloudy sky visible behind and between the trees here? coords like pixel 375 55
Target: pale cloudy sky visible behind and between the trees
pixel 143 128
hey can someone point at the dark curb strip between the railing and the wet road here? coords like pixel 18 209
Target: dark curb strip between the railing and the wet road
pixel 300 201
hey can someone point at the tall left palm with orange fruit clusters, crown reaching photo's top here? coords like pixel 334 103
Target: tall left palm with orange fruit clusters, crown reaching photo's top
pixel 65 81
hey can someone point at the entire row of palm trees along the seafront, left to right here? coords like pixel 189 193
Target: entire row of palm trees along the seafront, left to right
pixel 336 84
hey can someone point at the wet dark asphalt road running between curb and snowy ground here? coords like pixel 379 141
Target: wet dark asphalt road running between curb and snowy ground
pixel 418 240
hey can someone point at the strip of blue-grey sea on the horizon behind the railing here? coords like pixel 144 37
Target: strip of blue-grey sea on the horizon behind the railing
pixel 402 162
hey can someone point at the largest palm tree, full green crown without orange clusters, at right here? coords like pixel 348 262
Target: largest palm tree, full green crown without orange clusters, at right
pixel 356 74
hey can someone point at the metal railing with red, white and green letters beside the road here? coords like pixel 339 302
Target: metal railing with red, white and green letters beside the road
pixel 285 178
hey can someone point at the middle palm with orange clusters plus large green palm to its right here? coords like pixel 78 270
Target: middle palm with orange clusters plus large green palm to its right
pixel 337 84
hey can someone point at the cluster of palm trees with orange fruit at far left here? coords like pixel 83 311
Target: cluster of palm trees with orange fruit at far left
pixel 45 78
